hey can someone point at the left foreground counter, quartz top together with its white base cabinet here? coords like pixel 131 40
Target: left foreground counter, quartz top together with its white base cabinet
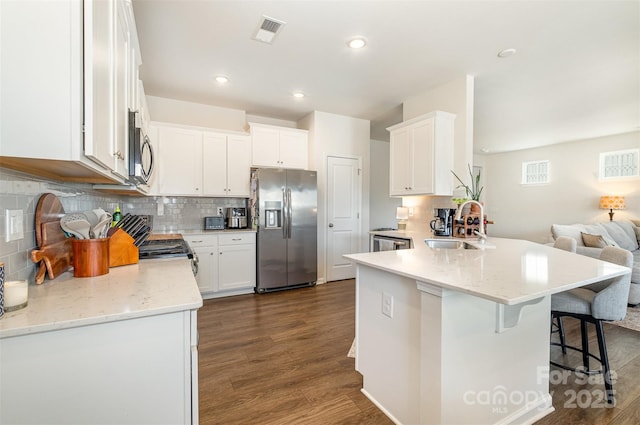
pixel 117 348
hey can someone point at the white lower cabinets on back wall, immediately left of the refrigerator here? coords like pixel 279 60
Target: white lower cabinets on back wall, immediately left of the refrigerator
pixel 226 263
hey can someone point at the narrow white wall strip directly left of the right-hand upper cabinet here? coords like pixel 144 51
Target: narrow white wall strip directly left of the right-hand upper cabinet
pixel 382 206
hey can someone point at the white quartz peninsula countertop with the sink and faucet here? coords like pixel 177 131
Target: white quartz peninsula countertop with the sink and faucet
pixel 507 271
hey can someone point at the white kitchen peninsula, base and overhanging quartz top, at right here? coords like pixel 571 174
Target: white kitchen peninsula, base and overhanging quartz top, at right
pixel 461 336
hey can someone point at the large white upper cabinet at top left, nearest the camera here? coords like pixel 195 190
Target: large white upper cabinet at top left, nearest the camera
pixel 68 68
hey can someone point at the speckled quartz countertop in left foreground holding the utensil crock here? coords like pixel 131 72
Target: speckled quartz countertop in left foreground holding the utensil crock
pixel 148 288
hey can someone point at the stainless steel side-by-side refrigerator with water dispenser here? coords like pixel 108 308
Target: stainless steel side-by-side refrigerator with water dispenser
pixel 284 213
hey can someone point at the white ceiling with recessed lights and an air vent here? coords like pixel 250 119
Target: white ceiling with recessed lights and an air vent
pixel 576 73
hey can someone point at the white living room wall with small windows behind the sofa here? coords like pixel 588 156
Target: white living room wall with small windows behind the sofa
pixel 572 196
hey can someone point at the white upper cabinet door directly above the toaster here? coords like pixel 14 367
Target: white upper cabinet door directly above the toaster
pixel 214 170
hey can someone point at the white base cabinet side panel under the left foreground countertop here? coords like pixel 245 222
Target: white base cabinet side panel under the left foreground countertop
pixel 137 371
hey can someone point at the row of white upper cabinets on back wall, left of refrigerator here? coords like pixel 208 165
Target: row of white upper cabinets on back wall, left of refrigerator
pixel 193 162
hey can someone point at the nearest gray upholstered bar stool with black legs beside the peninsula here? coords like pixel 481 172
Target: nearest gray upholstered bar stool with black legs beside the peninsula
pixel 596 303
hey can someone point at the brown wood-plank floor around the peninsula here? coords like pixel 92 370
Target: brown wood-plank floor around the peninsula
pixel 281 358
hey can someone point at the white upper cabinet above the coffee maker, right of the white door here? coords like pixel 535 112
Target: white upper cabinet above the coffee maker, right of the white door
pixel 421 155
